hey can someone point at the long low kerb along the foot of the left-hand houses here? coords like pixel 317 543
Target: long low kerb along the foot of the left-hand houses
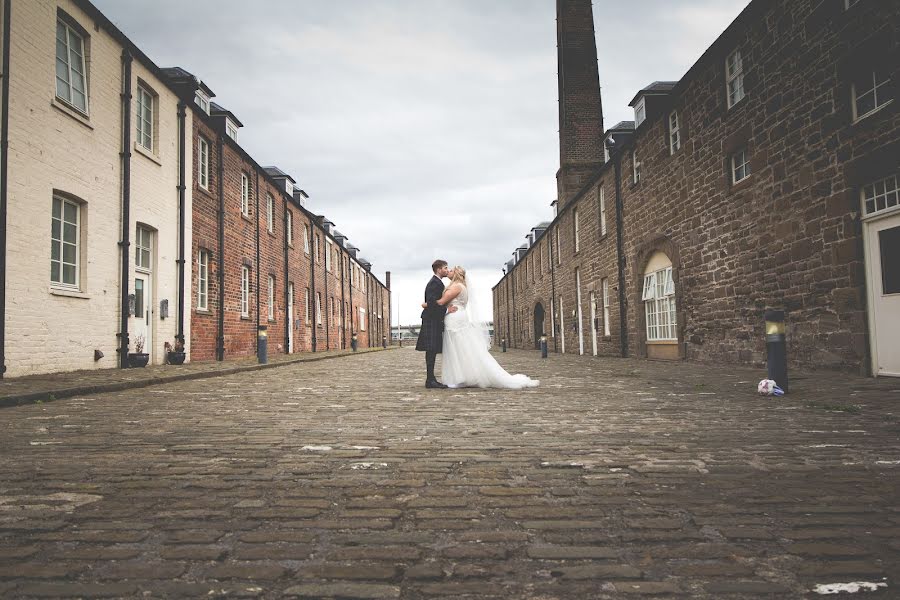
pixel 49 395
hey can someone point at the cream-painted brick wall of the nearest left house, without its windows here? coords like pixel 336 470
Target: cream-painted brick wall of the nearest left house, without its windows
pixel 52 150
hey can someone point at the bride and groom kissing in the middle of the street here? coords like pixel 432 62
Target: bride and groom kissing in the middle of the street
pixel 450 327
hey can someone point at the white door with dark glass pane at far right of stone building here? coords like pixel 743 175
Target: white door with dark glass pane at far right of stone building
pixel 882 241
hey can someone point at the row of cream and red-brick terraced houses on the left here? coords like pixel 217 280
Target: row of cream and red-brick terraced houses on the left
pixel 114 181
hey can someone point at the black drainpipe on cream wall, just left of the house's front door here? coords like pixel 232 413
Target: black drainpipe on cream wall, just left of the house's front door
pixel 125 243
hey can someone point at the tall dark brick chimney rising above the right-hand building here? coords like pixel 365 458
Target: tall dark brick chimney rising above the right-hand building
pixel 580 109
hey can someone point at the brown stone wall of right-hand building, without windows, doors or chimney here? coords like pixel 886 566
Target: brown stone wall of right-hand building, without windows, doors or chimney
pixel 788 237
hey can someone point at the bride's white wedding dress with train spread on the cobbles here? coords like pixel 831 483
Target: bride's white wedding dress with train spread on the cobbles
pixel 466 361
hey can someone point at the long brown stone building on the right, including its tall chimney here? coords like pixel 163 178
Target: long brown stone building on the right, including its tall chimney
pixel 765 178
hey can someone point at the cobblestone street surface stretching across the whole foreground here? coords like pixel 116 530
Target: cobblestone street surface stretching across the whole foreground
pixel 614 479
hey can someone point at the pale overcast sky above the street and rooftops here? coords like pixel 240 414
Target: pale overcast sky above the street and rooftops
pixel 423 128
